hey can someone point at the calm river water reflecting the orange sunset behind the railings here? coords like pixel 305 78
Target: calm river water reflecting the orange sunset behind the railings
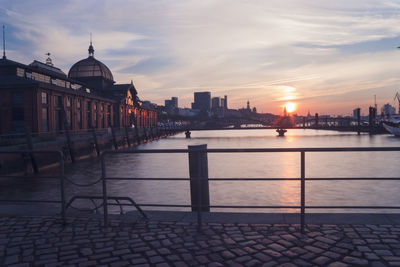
pixel 247 165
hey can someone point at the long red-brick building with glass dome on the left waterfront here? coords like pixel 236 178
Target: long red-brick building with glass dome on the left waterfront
pixel 44 99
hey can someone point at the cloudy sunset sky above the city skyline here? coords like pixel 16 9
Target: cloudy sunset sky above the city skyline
pixel 326 56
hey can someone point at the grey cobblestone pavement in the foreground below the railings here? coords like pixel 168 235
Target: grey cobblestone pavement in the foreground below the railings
pixel 42 241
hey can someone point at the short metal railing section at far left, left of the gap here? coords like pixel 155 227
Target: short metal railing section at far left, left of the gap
pixel 60 176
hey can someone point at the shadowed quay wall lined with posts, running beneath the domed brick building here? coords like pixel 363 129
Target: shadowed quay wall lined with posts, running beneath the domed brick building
pixel 81 146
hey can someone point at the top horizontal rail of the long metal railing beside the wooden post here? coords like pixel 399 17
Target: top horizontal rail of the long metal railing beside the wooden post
pixel 255 150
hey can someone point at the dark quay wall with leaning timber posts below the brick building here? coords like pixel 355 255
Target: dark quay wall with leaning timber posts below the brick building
pixel 74 145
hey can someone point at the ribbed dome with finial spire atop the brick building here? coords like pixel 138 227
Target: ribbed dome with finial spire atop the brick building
pixel 90 67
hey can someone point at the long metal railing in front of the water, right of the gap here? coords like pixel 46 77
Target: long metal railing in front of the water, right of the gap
pixel 302 179
